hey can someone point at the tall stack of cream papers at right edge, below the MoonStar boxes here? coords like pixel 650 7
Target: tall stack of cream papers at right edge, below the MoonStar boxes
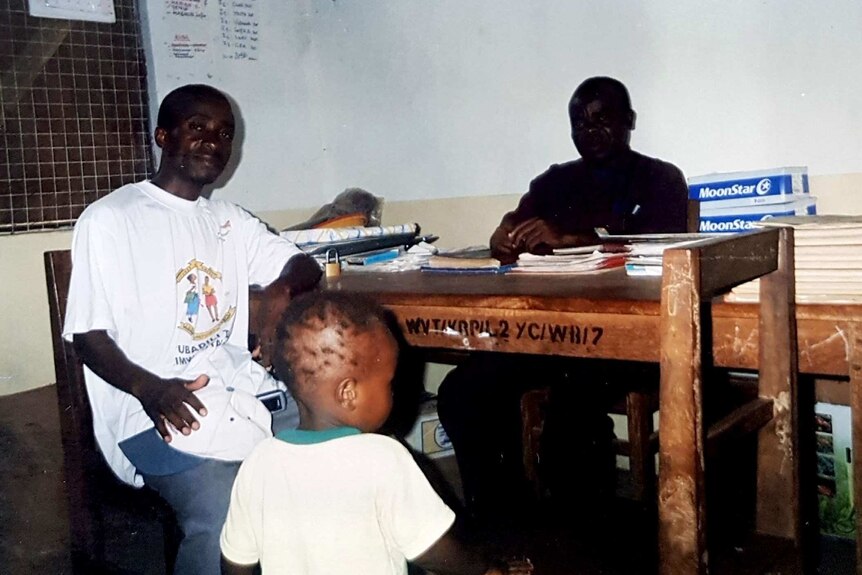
pixel 828 254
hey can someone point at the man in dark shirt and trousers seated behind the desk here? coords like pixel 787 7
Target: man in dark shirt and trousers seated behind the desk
pixel 610 186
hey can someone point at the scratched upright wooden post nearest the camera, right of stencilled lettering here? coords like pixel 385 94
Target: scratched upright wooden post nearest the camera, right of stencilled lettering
pixel 682 494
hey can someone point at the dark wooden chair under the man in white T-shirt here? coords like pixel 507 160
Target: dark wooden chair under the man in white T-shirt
pixel 91 486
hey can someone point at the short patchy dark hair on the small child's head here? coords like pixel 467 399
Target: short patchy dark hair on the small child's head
pixel 295 359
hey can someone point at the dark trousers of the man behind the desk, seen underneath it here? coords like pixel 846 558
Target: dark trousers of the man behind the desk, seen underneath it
pixel 479 407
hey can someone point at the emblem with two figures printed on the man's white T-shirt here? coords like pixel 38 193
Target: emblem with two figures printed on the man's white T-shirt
pixel 212 327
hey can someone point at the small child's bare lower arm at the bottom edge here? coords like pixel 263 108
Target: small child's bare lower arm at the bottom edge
pixel 448 556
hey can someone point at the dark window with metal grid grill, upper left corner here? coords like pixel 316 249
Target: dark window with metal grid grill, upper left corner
pixel 74 118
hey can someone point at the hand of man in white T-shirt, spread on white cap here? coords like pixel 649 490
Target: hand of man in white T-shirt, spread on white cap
pixel 167 401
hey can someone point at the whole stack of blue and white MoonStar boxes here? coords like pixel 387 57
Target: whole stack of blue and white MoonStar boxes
pixel 732 202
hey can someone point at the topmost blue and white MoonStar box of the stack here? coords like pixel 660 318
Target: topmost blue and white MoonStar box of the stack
pixel 736 189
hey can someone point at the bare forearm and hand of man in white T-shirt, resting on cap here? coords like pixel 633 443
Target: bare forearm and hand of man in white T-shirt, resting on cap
pixel 164 400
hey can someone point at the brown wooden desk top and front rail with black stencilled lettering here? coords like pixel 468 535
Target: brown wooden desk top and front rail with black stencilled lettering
pixel 625 308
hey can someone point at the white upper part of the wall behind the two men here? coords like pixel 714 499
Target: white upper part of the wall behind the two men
pixel 445 98
